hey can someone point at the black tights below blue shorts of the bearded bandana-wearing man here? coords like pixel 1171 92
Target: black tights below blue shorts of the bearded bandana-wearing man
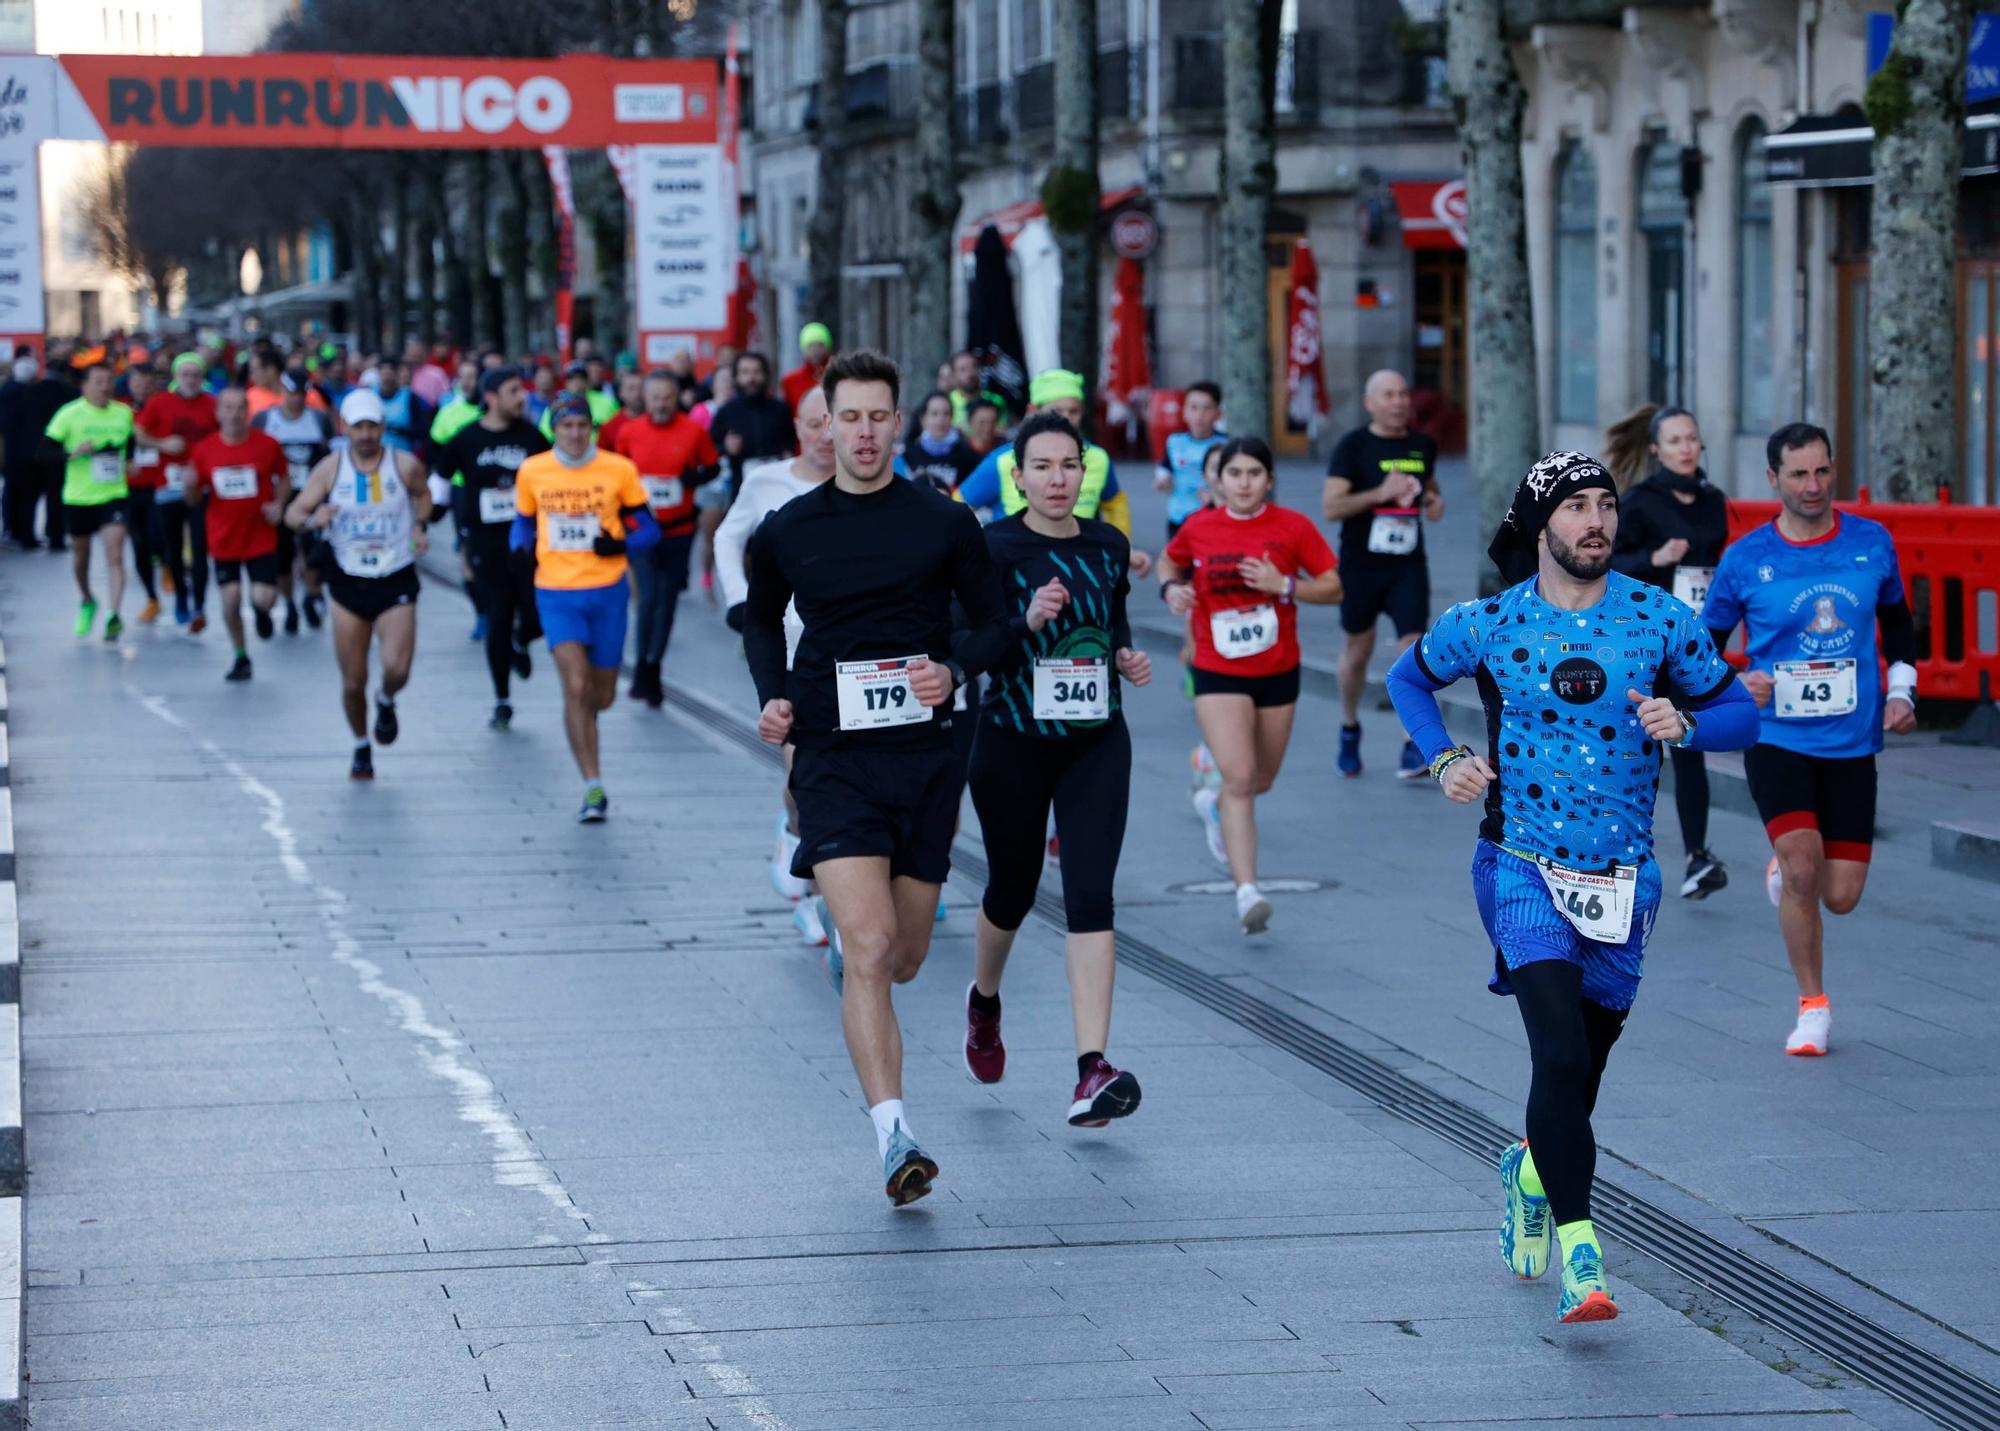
pixel 1569 1038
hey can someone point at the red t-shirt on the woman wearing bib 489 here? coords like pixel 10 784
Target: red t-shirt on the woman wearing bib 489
pixel 1211 547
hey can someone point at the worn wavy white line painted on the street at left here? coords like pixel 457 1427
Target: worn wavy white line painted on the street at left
pixel 513 1156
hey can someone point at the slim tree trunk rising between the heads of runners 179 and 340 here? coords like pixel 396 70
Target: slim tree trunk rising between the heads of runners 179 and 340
pixel 935 207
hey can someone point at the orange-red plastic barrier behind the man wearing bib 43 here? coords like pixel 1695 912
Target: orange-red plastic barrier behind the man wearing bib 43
pixel 1951 569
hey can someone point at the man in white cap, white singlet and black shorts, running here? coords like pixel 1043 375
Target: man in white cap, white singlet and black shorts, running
pixel 373 505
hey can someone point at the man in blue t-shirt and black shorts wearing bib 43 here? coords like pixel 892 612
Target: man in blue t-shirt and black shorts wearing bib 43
pixel 1809 591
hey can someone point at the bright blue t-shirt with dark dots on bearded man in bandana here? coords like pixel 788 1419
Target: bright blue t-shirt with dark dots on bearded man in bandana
pixel 1579 774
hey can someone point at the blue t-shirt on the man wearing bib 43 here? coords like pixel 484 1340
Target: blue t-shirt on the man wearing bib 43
pixel 1813 603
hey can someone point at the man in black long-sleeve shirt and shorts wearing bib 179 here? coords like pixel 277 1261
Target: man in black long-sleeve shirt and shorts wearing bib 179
pixel 873 565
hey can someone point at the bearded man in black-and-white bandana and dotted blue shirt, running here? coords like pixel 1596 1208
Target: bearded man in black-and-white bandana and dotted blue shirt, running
pixel 1563 870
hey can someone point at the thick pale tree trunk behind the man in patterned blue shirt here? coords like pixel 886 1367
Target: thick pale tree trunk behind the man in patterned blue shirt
pixel 1489 105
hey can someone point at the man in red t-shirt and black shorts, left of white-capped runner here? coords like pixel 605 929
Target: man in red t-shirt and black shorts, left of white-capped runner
pixel 243 481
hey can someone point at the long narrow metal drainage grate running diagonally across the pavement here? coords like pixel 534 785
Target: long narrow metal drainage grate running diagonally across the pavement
pixel 1895 1366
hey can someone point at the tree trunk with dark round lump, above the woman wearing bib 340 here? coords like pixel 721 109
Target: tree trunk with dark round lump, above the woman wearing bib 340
pixel 1071 191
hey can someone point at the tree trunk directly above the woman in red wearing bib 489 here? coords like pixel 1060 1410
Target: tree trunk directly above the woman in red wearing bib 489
pixel 1249 181
